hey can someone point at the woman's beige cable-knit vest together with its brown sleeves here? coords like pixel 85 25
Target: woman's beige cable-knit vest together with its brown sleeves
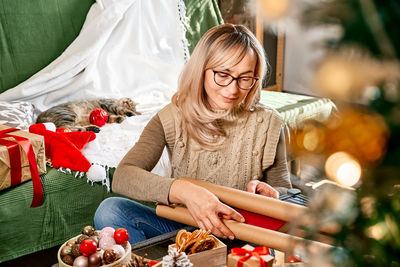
pixel 253 148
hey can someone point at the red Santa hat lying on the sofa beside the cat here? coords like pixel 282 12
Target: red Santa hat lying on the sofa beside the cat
pixel 64 148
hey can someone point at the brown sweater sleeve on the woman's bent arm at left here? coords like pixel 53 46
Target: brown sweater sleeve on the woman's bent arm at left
pixel 133 178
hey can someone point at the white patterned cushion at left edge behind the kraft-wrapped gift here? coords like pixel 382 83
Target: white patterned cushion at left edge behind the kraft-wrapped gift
pixel 17 114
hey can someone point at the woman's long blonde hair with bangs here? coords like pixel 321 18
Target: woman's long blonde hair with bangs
pixel 225 45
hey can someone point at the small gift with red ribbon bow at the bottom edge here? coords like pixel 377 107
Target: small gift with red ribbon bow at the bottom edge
pixel 248 256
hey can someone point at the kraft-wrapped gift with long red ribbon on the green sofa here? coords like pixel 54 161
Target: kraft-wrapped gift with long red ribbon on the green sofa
pixel 22 157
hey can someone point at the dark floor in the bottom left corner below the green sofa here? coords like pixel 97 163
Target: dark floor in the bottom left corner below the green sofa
pixel 44 258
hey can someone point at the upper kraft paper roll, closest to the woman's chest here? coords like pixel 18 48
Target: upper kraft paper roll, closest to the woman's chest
pixel 259 204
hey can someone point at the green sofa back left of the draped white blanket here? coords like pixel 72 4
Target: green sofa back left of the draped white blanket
pixel 34 33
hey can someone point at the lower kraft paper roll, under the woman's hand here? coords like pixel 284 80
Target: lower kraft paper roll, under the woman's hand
pixel 245 232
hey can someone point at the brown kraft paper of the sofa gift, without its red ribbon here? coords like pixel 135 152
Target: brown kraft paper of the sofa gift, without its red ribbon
pixel 37 142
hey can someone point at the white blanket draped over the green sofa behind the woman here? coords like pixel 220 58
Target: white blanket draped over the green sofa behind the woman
pixel 126 48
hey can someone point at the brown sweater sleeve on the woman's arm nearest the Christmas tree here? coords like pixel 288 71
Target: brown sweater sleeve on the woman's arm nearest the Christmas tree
pixel 277 175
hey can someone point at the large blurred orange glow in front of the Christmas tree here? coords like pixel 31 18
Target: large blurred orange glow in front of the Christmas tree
pixel 356 131
